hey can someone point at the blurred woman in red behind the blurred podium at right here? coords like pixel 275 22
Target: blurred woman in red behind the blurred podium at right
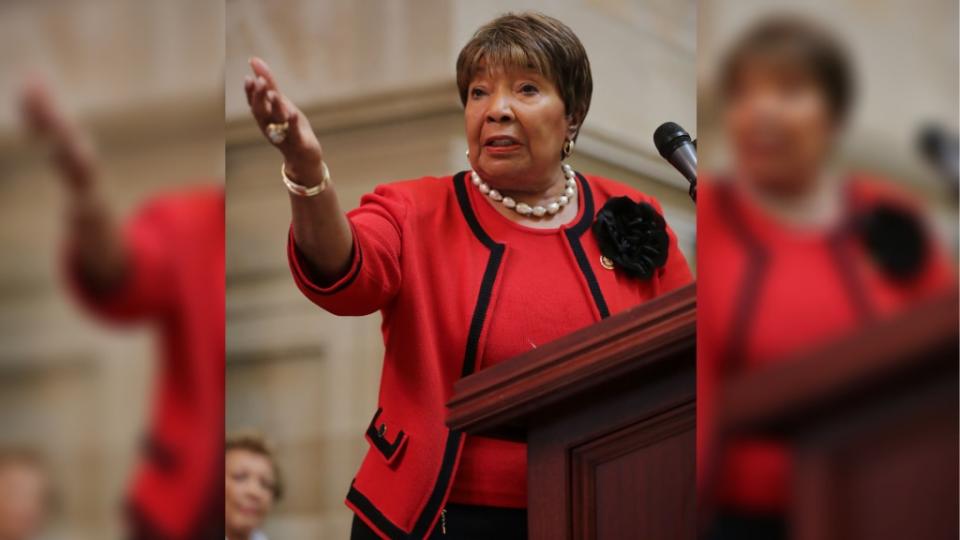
pixel 798 251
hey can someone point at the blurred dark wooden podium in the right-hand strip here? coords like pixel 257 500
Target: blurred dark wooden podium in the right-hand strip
pixel 872 422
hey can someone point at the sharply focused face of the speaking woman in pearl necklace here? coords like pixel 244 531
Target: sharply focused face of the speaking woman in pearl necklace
pixel 516 126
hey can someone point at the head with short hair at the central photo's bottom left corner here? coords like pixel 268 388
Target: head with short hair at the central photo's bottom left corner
pixel 252 485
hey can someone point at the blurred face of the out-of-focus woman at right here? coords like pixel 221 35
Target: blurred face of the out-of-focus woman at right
pixel 780 126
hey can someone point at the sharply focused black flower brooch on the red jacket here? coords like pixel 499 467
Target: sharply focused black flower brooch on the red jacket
pixel 632 236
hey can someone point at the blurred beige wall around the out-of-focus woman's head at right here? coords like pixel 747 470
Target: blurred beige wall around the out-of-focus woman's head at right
pixel 905 58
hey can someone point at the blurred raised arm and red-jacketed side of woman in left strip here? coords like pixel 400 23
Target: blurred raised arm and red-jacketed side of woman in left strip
pixel 163 267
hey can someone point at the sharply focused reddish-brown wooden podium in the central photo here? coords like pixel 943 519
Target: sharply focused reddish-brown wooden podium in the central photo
pixel 608 414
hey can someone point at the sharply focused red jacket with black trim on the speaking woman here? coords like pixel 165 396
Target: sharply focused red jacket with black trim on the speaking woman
pixel 423 259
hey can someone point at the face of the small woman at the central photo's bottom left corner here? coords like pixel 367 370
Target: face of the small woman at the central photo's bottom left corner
pixel 249 490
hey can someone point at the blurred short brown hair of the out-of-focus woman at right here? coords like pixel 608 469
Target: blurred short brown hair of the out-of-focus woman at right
pixel 798 43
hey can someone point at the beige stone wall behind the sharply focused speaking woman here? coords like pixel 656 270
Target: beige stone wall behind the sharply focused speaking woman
pixel 377 81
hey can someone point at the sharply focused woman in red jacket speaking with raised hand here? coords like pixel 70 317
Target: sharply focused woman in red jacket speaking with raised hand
pixel 469 270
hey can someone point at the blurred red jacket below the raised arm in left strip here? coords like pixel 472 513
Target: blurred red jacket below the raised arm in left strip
pixel 175 245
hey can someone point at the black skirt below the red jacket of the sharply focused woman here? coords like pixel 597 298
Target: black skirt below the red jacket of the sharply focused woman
pixel 463 522
